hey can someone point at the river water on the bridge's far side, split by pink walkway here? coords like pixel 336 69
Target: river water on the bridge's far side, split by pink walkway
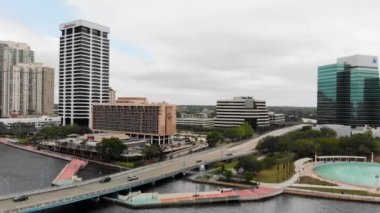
pixel 23 171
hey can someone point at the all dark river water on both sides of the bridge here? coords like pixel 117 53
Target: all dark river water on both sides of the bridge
pixel 21 170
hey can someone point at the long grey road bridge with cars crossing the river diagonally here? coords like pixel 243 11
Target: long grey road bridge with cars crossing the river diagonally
pixel 63 195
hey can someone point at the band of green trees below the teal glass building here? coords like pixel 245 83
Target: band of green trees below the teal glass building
pixel 308 142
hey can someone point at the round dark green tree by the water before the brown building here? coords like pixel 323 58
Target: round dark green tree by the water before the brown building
pixel 111 148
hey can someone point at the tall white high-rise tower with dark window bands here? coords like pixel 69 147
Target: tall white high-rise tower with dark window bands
pixel 83 70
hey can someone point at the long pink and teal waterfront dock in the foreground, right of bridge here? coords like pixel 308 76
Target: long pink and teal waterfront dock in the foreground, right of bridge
pixel 156 200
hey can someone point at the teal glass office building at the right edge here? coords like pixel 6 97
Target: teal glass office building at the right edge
pixel 349 92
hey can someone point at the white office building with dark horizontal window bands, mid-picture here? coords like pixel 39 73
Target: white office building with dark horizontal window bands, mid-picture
pixel 232 113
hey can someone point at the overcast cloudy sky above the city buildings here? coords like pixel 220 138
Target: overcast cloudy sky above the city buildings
pixel 198 51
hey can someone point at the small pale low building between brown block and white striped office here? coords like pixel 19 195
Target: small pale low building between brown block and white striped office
pixel 199 119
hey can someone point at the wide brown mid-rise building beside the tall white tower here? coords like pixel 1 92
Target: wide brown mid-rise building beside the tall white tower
pixel 155 122
